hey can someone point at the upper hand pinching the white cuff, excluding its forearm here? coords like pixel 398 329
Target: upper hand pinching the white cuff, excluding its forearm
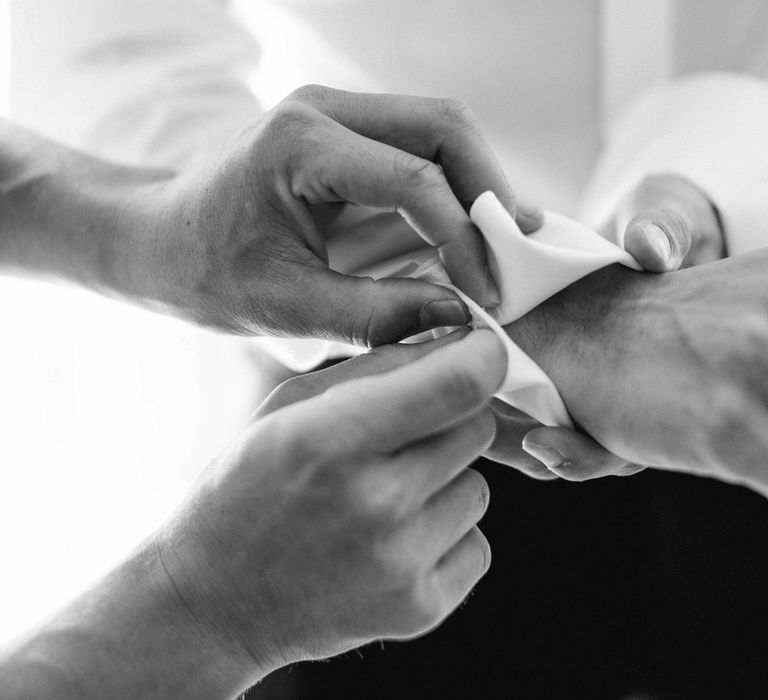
pixel 240 251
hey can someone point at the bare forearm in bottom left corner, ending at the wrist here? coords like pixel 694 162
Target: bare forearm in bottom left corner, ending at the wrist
pixel 129 637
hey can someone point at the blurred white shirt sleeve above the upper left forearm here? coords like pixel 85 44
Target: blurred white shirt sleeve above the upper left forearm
pixel 146 82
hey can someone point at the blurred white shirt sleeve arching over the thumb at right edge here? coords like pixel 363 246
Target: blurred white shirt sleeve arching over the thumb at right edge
pixel 711 129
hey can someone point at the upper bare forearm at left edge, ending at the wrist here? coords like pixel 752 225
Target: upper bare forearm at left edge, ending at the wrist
pixel 67 216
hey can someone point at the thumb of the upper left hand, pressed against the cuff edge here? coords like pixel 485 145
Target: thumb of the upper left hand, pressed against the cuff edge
pixel 369 312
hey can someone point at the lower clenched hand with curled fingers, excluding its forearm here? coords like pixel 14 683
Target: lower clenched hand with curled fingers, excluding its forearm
pixel 344 517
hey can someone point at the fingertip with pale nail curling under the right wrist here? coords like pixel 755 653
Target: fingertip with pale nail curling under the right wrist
pixel 573 456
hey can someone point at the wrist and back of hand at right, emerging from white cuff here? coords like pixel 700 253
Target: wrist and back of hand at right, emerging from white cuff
pixel 664 370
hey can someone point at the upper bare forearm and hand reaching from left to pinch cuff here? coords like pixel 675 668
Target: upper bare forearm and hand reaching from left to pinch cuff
pixel 228 244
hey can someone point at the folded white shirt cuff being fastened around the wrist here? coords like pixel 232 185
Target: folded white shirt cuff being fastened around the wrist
pixel 529 269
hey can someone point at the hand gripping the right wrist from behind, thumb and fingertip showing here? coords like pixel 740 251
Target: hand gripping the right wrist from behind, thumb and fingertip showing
pixel 667 222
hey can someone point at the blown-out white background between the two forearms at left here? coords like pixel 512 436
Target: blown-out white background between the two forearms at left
pixel 106 418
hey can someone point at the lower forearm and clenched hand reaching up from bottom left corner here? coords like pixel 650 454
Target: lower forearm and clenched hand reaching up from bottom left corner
pixel 336 517
